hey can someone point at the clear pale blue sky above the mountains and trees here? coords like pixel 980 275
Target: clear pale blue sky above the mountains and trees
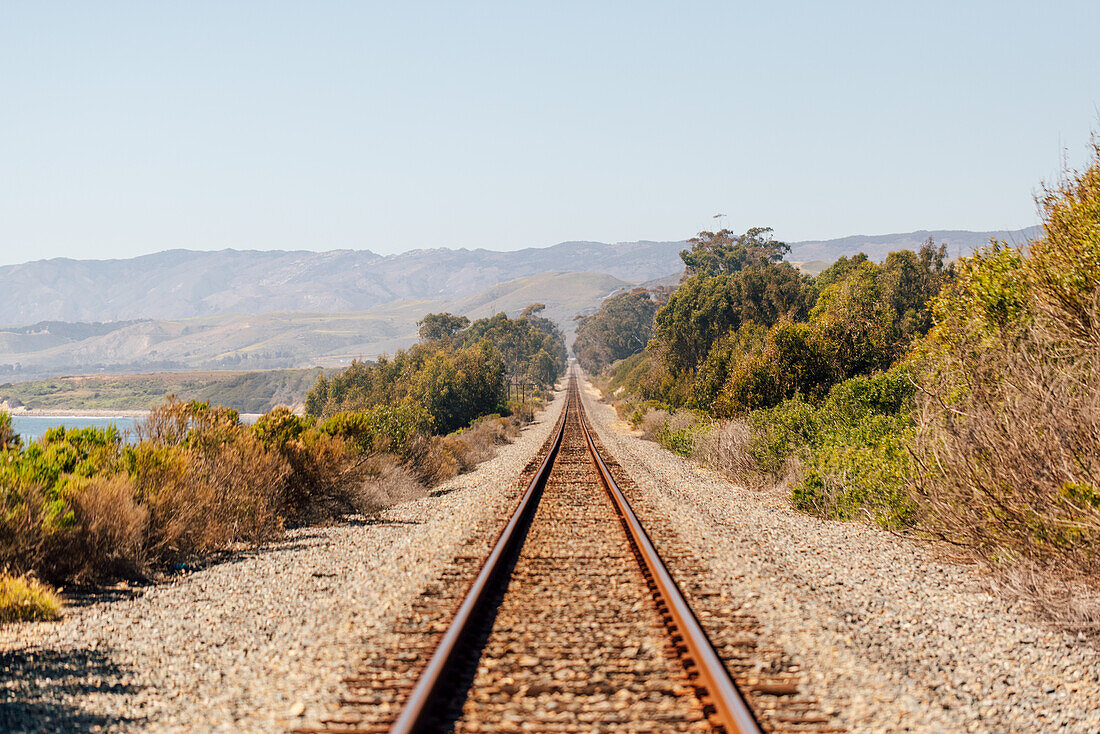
pixel 130 128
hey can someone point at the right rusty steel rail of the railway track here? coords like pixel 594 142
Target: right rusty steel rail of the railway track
pixel 730 706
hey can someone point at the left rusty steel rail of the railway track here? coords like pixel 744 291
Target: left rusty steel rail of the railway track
pixel 416 715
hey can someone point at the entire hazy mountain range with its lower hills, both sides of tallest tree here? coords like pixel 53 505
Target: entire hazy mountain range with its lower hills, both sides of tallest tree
pixel 183 310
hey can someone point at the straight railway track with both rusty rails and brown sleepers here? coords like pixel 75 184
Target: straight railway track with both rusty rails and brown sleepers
pixel 574 623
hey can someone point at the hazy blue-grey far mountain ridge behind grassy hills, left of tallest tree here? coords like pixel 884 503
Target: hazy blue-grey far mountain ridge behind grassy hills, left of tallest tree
pixel 180 284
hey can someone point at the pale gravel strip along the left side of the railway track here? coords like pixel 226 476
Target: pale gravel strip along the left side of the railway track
pixel 259 642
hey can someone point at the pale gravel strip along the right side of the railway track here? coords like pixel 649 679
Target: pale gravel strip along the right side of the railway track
pixel 893 638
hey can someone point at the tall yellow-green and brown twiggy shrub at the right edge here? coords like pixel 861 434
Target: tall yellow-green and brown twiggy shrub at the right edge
pixel 1009 415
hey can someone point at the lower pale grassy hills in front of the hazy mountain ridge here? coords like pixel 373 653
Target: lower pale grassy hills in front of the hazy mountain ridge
pixel 278 341
